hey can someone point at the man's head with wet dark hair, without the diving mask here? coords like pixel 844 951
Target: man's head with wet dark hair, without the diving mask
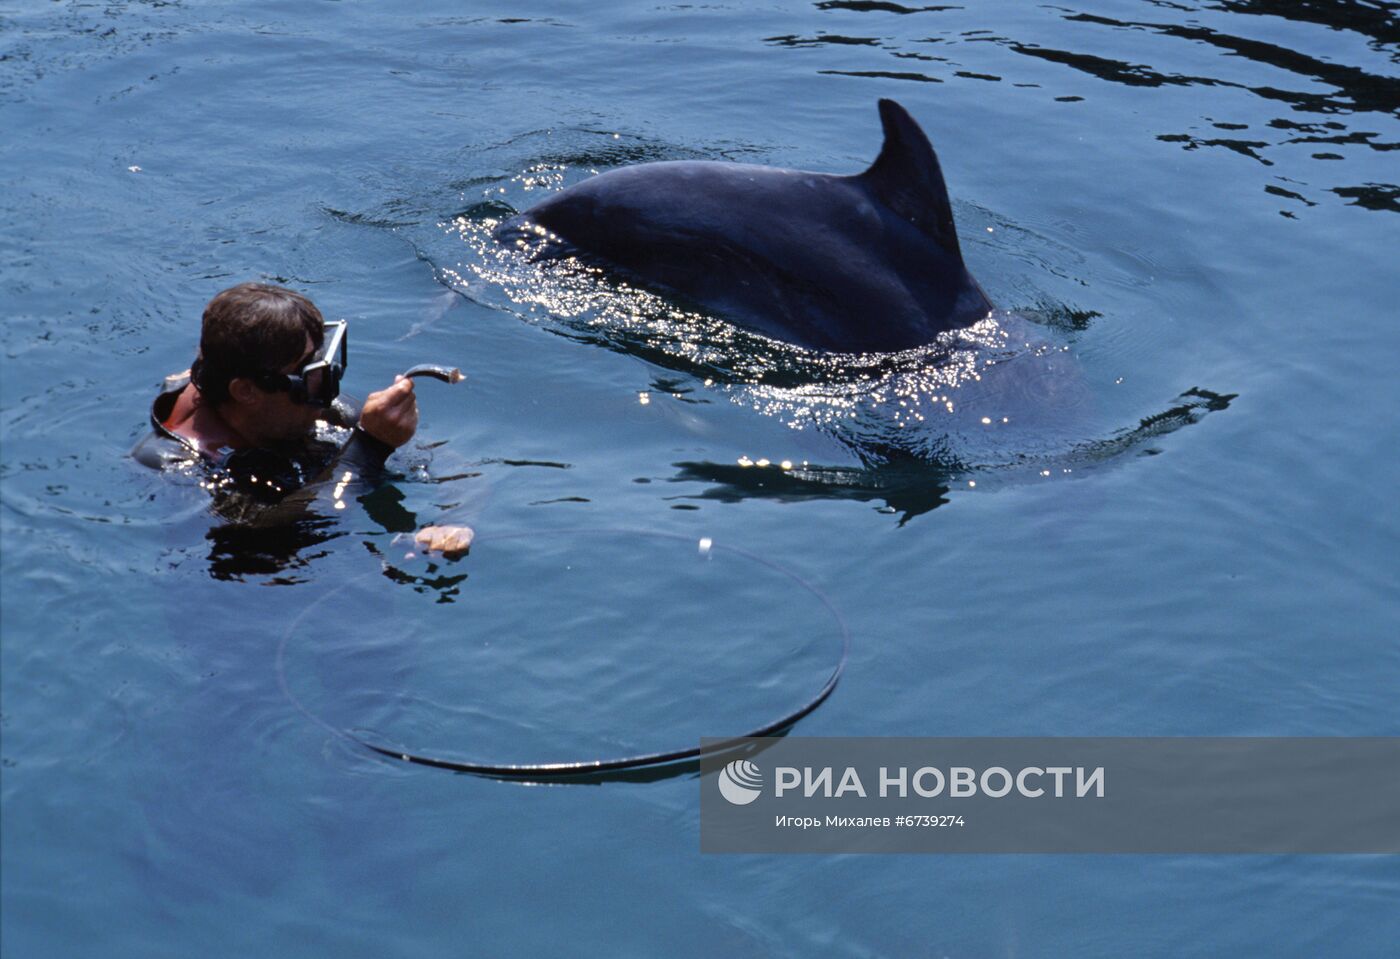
pixel 253 332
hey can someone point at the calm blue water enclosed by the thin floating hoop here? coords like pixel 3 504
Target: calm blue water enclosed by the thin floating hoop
pixel 527 661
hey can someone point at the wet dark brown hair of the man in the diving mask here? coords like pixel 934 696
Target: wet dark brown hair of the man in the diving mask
pixel 248 330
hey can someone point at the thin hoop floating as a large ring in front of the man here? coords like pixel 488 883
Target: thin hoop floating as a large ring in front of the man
pixel 584 766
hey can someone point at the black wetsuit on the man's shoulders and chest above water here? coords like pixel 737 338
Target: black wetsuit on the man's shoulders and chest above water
pixel 246 482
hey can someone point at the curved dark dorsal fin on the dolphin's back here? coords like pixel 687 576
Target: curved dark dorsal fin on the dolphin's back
pixel 908 180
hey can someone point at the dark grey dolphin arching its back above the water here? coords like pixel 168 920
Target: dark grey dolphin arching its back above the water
pixel 859 264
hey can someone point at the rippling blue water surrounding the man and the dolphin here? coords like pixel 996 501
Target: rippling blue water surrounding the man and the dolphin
pixel 1189 530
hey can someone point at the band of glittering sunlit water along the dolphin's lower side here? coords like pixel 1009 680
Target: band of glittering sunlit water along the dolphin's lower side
pixel 920 388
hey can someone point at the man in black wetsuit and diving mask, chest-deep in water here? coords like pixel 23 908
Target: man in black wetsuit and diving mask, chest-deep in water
pixel 260 398
